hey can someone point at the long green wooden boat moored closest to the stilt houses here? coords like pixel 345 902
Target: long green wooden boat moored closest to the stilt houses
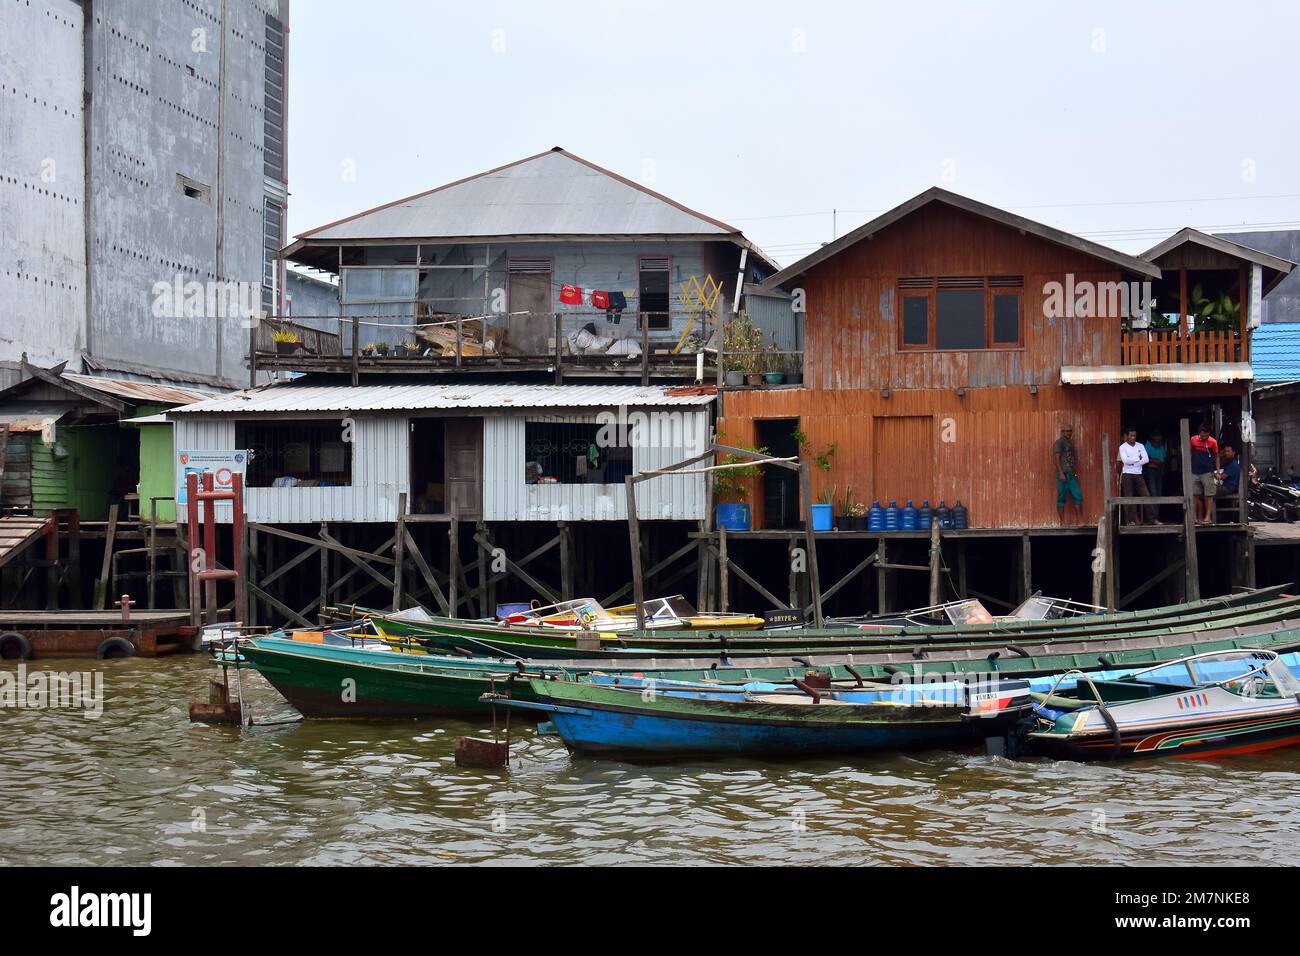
pixel 449 635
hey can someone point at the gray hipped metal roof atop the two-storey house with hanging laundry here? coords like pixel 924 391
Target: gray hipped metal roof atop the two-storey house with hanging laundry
pixel 551 194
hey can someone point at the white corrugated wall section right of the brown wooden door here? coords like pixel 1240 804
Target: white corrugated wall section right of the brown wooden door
pixel 682 432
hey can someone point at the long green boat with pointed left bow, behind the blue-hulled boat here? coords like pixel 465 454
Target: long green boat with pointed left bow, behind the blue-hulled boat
pixel 388 685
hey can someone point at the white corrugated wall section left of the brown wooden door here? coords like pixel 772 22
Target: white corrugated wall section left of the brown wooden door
pixel 380 473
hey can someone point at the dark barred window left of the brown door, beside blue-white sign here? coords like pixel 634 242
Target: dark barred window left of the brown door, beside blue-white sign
pixel 296 455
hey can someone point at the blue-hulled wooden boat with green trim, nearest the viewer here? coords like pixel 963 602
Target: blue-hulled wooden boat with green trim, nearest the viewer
pixel 603 720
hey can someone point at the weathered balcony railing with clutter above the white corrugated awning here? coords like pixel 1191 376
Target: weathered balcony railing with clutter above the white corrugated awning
pixel 574 343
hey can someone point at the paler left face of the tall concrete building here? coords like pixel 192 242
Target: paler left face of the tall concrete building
pixel 42 185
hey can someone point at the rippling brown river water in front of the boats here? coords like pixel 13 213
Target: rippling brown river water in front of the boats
pixel 144 786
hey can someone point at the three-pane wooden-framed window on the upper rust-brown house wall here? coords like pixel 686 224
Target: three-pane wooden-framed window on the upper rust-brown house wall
pixel 960 313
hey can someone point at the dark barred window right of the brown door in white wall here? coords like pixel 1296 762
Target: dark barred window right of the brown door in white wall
pixel 575 453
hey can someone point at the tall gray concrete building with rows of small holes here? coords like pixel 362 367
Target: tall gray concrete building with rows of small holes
pixel 142 184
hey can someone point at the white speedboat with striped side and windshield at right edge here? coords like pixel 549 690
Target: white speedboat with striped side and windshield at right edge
pixel 1204 706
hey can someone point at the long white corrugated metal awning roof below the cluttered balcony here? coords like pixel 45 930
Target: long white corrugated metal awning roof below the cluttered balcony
pixel 307 399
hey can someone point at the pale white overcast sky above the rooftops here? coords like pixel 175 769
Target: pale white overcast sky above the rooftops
pixel 1120 122
